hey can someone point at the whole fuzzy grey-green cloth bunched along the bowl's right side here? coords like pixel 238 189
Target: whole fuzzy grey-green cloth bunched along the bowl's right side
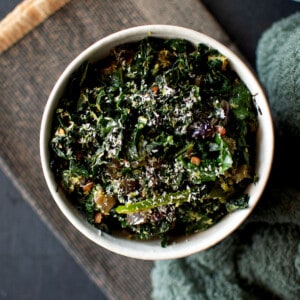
pixel 260 260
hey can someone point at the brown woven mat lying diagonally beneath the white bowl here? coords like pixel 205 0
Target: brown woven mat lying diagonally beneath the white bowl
pixel 29 70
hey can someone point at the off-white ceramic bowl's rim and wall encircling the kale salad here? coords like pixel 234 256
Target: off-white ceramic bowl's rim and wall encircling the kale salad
pixel 184 246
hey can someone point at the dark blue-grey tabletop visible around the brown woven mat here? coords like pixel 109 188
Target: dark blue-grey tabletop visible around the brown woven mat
pixel 33 264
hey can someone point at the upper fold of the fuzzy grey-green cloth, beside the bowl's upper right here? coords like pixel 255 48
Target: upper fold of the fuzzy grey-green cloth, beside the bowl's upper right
pixel 281 77
